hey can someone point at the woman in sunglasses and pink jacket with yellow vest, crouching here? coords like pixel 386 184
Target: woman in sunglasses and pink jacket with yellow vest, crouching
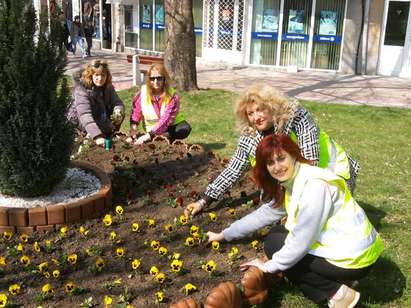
pixel 157 107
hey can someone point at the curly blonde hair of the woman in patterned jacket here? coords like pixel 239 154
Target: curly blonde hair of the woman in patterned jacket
pixel 269 98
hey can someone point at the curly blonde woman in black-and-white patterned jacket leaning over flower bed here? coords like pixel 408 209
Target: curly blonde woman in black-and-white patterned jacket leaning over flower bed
pixel 263 111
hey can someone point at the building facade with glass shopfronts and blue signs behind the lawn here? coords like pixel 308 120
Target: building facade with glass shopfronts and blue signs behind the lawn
pixel 348 36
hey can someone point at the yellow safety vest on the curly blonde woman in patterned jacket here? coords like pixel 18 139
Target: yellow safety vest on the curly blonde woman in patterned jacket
pixel 332 156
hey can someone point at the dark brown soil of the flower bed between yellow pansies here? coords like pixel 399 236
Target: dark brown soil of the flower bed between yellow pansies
pixel 147 180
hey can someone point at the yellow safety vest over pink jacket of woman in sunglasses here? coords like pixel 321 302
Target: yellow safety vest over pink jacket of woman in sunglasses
pixel 150 116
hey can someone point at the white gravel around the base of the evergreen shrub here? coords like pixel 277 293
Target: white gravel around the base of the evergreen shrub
pixel 77 185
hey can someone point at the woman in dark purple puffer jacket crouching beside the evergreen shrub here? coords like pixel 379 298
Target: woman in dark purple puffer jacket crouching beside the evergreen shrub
pixel 95 108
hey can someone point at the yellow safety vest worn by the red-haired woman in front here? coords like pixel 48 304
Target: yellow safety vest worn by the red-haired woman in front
pixel 347 239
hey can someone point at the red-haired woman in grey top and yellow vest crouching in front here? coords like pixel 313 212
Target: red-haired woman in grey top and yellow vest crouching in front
pixel 327 239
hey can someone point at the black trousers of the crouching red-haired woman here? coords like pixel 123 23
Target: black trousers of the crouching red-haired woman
pixel 318 279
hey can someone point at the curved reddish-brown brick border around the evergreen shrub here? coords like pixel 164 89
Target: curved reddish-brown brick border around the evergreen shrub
pixel 28 220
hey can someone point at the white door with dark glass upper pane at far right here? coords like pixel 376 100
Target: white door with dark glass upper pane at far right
pixel 394 37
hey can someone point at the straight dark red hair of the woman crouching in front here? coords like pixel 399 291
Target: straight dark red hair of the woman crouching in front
pixel 270 145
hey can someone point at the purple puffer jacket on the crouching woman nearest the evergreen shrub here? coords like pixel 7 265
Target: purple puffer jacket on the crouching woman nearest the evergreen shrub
pixel 91 109
